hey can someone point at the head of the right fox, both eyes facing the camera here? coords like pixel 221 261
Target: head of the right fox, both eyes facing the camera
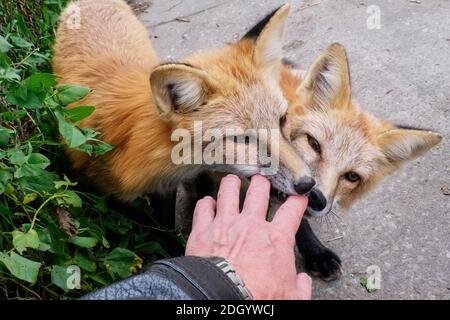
pixel 347 149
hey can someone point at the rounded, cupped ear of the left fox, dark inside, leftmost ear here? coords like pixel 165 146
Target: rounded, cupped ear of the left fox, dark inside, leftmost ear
pixel 179 88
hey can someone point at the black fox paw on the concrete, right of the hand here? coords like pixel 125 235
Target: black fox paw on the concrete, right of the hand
pixel 324 264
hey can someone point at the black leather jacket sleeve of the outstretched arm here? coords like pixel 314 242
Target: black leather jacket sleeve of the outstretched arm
pixel 183 278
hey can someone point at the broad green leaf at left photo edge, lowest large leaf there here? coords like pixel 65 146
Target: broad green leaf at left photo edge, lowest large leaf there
pixel 20 267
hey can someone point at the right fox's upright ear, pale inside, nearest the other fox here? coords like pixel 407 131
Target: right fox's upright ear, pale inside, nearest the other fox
pixel 327 82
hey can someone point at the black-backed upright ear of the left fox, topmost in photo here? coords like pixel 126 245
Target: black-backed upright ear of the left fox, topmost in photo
pixel 268 37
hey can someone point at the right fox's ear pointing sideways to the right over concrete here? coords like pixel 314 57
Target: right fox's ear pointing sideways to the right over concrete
pixel 400 145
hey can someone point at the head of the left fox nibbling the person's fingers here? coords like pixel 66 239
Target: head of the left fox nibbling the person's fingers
pixel 236 87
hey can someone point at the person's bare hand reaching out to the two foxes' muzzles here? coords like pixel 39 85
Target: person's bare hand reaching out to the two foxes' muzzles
pixel 261 252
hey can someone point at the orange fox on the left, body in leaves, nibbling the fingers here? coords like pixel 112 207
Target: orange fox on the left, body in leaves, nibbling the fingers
pixel 140 102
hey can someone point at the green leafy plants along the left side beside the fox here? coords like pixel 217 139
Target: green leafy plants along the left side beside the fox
pixel 48 221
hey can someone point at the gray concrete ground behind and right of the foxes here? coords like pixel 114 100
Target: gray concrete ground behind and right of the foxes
pixel 400 71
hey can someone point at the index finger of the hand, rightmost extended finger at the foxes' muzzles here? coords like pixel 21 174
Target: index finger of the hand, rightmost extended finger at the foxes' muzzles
pixel 289 215
